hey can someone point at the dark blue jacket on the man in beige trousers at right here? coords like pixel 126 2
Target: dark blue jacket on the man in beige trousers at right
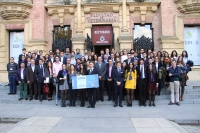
pixel 175 73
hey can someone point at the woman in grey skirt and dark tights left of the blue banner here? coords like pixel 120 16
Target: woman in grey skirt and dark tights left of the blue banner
pixel 63 84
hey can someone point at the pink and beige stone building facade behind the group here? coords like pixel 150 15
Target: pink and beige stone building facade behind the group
pixel 37 18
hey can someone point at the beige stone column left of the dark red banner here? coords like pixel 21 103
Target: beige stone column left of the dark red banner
pixel 78 40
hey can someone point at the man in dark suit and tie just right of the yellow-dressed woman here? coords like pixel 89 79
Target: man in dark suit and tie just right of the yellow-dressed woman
pixel 142 82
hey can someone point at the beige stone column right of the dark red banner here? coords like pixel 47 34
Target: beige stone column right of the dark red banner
pixel 125 39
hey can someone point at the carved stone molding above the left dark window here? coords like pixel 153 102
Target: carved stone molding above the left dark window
pixel 61 11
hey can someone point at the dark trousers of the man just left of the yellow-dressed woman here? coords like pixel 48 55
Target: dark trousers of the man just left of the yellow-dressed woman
pixel 118 93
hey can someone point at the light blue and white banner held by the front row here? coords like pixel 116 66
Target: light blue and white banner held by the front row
pixel 85 81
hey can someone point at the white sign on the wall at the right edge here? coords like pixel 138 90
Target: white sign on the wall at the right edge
pixel 192 43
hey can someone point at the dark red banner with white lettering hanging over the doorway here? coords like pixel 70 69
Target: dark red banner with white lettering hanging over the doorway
pixel 102 35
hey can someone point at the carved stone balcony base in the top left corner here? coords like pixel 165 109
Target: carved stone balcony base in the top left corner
pixel 20 9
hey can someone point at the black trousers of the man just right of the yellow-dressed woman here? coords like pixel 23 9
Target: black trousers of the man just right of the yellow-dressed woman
pixel 142 91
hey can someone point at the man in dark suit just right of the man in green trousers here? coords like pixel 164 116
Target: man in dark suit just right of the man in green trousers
pixel 31 80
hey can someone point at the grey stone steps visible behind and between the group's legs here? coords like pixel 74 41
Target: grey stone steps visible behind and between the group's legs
pixel 191 96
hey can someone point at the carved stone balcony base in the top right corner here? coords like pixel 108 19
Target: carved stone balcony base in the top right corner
pixel 188 6
